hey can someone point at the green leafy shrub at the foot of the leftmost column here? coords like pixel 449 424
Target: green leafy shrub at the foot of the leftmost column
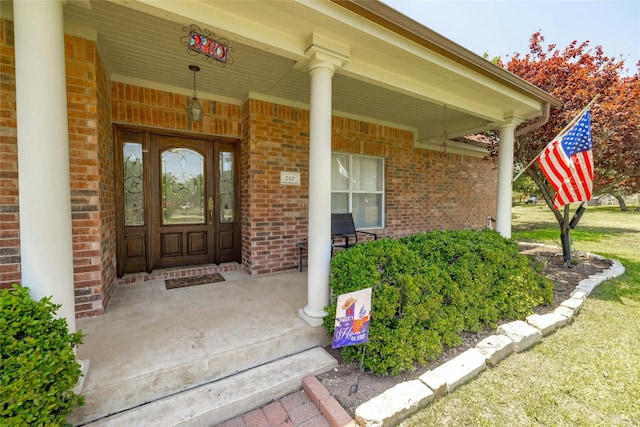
pixel 38 366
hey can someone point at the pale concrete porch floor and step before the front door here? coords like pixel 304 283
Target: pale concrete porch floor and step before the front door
pixel 198 355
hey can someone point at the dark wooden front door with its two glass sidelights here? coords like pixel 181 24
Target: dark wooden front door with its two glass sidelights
pixel 177 201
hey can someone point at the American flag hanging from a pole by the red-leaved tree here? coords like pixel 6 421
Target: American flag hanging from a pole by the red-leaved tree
pixel 567 162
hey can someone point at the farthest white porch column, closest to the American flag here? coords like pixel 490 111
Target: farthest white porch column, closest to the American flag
pixel 505 175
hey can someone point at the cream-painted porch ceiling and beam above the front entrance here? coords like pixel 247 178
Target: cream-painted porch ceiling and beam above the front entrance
pixel 387 77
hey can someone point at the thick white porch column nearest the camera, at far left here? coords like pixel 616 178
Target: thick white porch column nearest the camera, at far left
pixel 43 154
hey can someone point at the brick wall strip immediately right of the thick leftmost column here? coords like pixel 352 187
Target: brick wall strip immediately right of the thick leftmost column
pixel 86 173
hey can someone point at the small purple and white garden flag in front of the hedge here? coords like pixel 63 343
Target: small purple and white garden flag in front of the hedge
pixel 353 313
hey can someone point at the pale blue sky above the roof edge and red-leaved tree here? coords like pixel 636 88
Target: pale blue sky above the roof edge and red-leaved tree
pixel 502 28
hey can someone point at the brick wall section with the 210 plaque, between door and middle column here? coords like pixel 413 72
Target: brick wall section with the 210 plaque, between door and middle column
pixel 274 215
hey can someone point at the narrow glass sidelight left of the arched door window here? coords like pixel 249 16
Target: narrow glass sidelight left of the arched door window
pixel 133 185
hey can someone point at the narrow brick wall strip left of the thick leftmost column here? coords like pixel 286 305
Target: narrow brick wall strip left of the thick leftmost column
pixel 9 225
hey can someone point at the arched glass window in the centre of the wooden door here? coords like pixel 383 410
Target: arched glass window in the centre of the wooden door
pixel 183 187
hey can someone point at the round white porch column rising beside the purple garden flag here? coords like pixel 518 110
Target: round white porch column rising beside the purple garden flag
pixel 319 237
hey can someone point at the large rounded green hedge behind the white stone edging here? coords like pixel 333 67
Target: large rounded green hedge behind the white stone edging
pixel 429 288
